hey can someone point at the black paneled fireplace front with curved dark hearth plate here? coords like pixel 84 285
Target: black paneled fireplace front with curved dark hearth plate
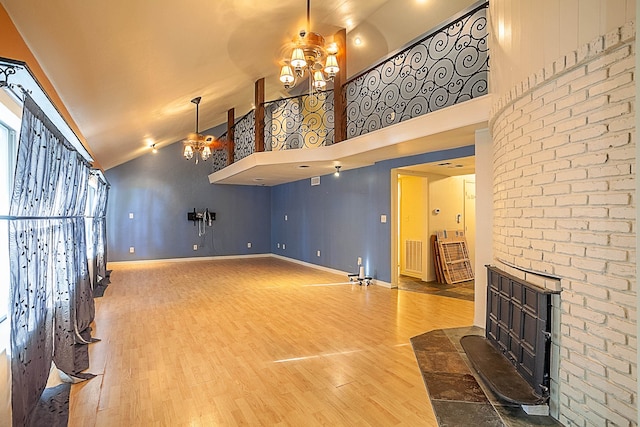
pixel 514 356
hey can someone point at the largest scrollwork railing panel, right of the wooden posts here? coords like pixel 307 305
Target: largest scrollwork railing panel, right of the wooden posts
pixel 446 67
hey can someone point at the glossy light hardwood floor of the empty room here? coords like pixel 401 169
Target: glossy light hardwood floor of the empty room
pixel 256 341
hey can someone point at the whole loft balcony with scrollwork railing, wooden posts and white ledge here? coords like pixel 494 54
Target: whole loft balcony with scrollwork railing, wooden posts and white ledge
pixel 430 95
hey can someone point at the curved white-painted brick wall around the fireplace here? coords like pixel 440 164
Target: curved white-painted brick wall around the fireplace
pixel 565 205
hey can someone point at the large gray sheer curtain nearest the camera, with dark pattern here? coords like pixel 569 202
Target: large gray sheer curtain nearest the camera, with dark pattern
pixel 51 300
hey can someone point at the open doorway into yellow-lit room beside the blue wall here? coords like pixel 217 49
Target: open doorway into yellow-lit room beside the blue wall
pixel 428 198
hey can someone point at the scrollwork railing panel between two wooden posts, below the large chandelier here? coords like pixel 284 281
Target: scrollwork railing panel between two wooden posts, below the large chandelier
pixel 305 121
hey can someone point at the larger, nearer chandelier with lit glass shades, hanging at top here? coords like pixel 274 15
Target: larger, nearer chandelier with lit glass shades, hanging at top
pixel 309 54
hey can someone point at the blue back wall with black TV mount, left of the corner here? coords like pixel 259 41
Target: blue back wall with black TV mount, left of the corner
pixel 159 189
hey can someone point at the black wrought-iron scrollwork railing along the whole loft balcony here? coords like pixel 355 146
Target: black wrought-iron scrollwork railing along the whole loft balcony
pixel 444 67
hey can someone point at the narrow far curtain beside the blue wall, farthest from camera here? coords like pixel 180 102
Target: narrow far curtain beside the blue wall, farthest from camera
pixel 99 217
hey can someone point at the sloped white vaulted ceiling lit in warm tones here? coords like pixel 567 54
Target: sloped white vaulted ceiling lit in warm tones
pixel 126 70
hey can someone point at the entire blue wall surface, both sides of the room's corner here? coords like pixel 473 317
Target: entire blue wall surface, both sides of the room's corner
pixel 340 217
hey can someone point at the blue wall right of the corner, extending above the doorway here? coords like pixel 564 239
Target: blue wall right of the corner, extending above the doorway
pixel 341 216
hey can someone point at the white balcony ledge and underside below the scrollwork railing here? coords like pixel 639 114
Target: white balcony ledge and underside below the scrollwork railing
pixel 451 127
